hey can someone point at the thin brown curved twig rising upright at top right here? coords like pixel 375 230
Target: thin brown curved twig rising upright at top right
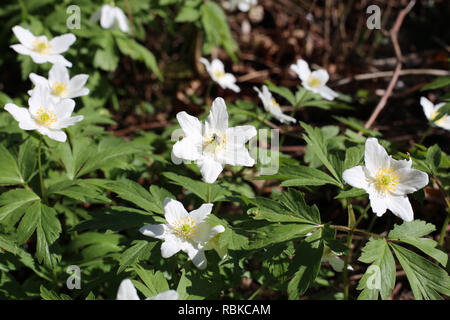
pixel 394 34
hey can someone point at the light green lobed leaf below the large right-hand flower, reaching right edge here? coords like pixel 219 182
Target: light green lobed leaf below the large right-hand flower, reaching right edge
pixel 411 233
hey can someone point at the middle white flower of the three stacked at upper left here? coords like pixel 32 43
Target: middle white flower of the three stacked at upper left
pixel 59 83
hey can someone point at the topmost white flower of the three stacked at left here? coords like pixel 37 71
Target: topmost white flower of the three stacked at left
pixel 42 50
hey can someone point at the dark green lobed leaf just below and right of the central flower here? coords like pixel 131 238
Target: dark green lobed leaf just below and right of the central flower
pixel 290 207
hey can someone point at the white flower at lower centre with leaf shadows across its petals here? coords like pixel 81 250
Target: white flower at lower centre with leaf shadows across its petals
pixel 184 231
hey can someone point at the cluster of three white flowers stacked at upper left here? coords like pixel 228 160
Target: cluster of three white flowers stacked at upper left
pixel 50 105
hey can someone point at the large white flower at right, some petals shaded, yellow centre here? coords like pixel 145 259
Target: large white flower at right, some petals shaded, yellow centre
pixel 386 180
